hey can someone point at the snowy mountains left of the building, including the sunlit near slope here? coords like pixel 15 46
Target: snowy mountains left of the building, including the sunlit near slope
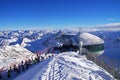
pixel 16 46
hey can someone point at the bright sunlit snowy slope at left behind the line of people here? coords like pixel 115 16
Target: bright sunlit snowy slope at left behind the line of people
pixel 10 55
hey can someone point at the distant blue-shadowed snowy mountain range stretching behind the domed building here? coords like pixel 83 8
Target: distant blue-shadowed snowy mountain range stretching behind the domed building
pixel 35 40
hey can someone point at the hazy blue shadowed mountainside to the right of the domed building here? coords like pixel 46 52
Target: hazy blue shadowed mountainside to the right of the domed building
pixel 112 46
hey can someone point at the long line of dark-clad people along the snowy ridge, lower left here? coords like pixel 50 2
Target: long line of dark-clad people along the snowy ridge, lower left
pixel 24 65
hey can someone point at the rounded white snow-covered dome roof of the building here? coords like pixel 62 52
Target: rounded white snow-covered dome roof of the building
pixel 89 39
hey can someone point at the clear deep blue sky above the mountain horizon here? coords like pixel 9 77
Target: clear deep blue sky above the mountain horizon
pixel 34 14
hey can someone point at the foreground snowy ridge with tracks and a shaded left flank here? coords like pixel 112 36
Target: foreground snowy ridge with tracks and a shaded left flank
pixel 66 66
